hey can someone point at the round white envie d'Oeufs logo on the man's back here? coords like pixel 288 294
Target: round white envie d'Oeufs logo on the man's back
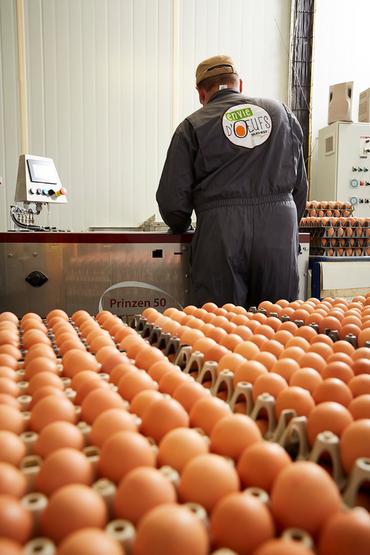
pixel 247 125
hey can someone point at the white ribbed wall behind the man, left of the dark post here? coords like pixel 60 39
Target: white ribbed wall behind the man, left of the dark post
pixel 106 86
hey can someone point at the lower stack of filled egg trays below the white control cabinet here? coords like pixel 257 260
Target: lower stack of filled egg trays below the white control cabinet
pixel 338 236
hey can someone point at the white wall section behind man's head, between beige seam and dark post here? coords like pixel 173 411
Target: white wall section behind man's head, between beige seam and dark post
pixel 255 34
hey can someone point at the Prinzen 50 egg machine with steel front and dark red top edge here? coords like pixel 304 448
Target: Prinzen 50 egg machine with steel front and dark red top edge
pixel 120 272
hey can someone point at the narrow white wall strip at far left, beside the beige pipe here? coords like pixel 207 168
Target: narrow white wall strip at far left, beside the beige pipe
pixel 9 112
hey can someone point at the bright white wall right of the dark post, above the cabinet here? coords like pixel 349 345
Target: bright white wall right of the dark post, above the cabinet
pixel 341 54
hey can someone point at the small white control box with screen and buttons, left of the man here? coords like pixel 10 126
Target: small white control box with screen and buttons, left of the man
pixel 38 181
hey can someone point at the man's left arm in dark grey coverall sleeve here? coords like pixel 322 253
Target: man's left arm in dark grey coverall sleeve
pixel 174 193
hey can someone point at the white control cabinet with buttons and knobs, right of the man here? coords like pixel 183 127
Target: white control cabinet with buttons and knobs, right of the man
pixel 344 166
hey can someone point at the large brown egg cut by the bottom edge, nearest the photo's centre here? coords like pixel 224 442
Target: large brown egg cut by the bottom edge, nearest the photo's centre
pixel 171 528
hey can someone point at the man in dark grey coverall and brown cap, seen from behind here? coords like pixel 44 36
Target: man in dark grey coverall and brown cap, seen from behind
pixel 238 162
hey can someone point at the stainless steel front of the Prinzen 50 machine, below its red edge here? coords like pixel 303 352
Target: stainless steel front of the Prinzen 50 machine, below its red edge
pixel 79 275
